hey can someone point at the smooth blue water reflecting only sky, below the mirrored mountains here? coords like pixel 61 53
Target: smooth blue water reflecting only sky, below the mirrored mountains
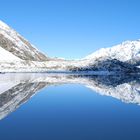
pixel 72 112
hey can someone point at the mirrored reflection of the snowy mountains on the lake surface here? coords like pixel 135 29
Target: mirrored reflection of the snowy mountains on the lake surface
pixel 15 89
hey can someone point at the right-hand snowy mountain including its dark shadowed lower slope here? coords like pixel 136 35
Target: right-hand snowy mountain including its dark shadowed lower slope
pixel 123 57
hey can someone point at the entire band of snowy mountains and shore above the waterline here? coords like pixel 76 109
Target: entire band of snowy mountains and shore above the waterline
pixel 19 55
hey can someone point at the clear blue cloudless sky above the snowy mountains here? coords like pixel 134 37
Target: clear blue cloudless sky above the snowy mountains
pixel 73 28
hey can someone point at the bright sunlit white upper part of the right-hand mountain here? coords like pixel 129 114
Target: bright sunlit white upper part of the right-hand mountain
pixel 123 52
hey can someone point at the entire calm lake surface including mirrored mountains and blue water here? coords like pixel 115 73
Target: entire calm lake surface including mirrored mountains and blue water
pixel 63 107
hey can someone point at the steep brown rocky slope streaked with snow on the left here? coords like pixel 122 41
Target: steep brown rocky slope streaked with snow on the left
pixel 13 42
